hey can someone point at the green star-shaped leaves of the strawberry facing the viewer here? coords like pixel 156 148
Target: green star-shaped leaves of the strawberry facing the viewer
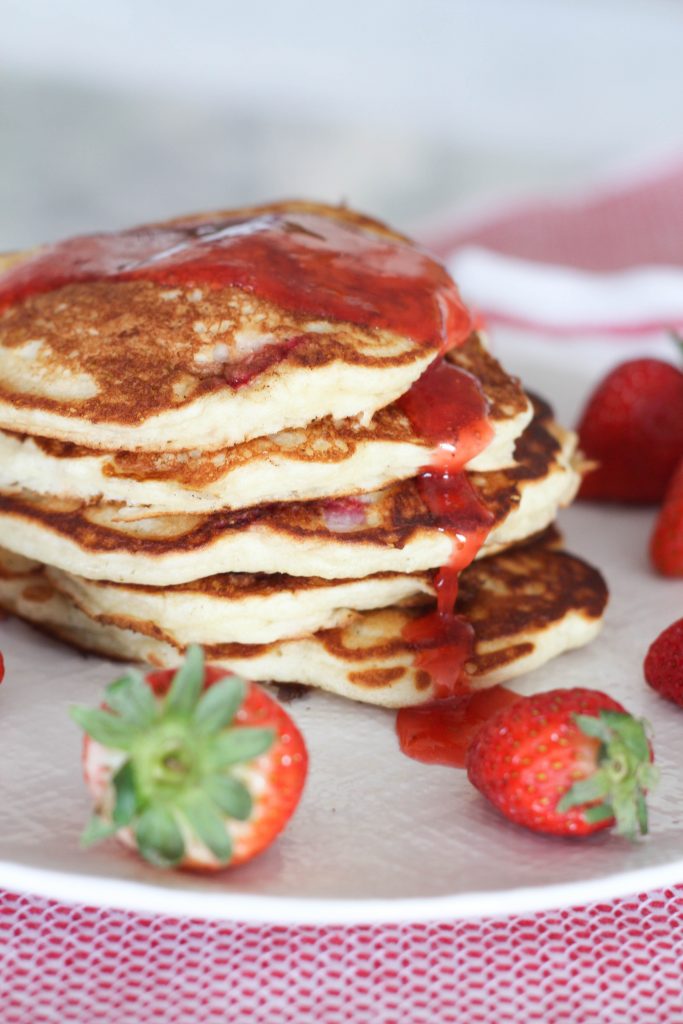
pixel 179 774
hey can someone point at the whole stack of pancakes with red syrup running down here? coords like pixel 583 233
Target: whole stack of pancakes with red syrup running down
pixel 269 432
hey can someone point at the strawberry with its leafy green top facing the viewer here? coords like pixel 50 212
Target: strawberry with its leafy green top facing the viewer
pixel 194 769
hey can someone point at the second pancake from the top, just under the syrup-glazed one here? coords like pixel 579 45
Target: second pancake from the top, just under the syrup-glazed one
pixel 325 459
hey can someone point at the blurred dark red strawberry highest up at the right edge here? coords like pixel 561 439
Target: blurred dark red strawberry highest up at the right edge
pixel 633 428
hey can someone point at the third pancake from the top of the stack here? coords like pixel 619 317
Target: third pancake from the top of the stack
pixel 392 531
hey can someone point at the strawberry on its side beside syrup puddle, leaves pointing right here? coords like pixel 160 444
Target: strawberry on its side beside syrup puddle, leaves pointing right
pixel 566 762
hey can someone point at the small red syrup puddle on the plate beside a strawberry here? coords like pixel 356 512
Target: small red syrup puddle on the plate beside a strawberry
pixel 441 734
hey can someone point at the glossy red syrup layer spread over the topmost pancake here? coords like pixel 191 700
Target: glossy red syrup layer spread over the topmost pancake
pixel 310 265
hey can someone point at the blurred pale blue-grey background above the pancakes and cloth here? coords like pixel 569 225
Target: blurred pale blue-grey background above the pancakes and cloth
pixel 419 112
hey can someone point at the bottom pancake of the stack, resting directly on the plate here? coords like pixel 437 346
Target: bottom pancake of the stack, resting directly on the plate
pixel 527 607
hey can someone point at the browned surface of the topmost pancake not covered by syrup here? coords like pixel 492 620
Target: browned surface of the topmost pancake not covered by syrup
pixel 140 342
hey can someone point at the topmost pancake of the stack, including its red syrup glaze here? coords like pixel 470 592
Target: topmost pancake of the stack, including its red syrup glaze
pixel 208 331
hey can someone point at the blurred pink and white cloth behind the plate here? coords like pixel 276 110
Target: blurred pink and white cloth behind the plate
pixel 609 266
